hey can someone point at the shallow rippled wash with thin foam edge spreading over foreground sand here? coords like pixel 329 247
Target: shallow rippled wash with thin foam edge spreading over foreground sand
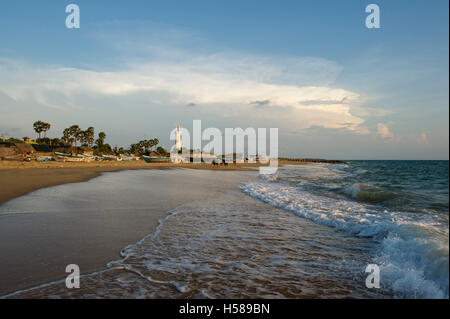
pixel 229 246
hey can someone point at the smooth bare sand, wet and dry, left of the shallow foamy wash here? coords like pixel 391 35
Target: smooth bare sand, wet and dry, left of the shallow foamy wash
pixel 47 229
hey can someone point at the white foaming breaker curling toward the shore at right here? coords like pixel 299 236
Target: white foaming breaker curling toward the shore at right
pixel 413 254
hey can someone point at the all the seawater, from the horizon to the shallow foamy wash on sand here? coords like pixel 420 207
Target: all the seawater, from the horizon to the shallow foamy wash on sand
pixel 308 231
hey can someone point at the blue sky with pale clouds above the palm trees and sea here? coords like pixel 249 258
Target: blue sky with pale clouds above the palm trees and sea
pixel 334 88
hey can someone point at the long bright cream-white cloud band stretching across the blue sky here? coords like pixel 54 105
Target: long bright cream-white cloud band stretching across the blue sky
pixel 227 85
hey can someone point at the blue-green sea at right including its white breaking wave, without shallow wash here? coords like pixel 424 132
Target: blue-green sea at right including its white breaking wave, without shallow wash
pixel 402 207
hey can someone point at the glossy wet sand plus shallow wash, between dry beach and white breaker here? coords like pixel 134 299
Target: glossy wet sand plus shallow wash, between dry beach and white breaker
pixel 181 233
